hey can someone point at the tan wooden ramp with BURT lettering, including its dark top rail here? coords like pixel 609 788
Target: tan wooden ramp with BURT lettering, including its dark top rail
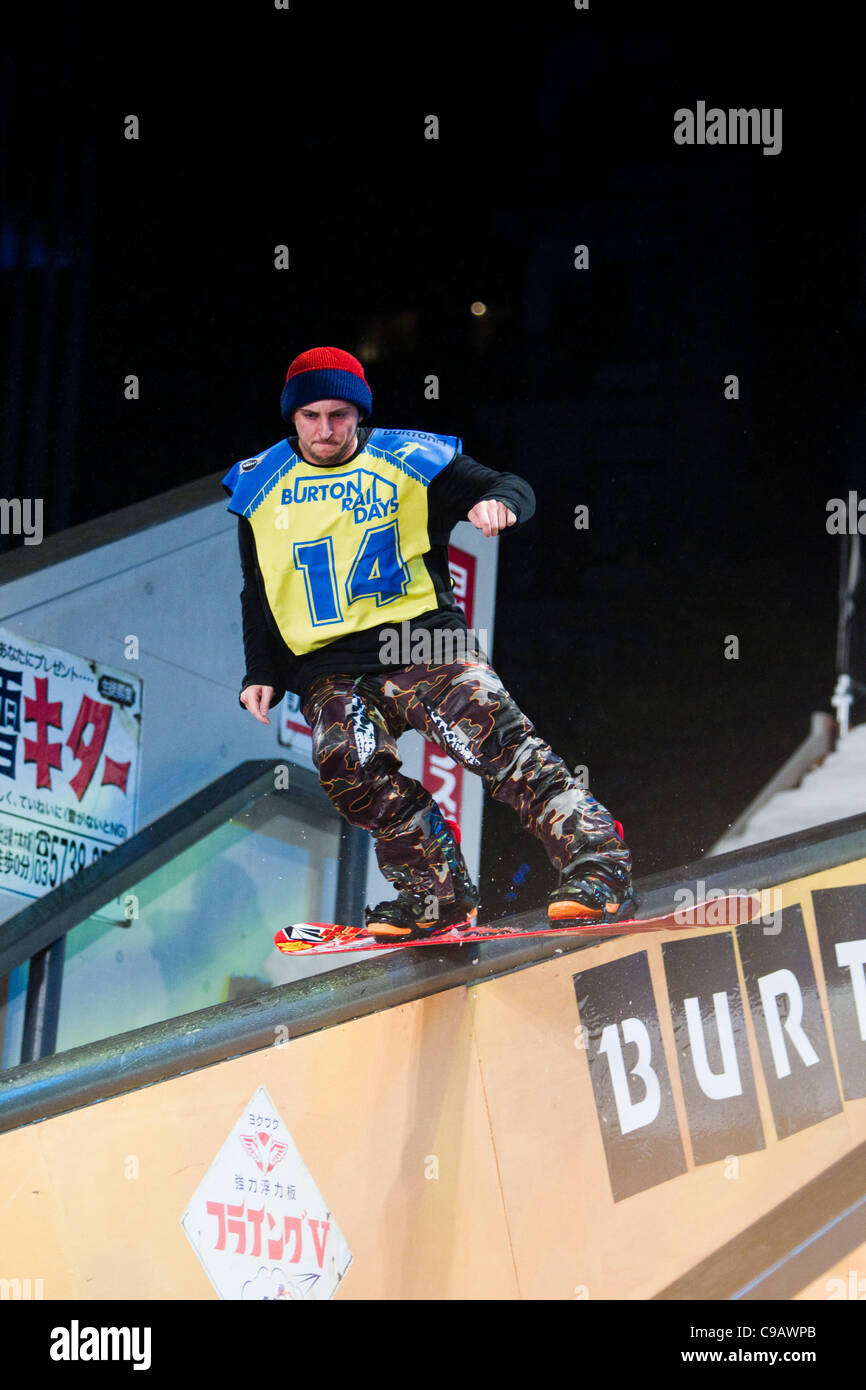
pixel 673 1117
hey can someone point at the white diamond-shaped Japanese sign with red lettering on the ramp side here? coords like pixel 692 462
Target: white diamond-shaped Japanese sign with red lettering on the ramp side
pixel 258 1221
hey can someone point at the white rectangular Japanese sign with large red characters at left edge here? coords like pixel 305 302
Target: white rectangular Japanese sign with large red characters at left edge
pixel 70 744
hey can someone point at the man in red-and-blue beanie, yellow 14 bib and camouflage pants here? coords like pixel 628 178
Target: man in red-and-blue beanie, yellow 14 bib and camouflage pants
pixel 344 539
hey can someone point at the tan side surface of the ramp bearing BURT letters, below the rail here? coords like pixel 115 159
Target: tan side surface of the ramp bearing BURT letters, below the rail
pixel 469 1145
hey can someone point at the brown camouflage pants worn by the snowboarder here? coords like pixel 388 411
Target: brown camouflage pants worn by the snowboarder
pixel 464 708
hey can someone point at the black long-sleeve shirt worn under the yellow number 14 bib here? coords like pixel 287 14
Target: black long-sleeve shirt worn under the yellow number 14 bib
pixel 451 496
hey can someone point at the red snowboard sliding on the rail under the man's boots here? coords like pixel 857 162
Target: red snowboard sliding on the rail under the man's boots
pixel 330 939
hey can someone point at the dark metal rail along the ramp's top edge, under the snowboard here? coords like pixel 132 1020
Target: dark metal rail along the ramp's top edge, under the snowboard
pixel 174 1047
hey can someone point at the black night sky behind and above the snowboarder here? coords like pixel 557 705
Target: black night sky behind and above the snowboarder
pixel 601 387
